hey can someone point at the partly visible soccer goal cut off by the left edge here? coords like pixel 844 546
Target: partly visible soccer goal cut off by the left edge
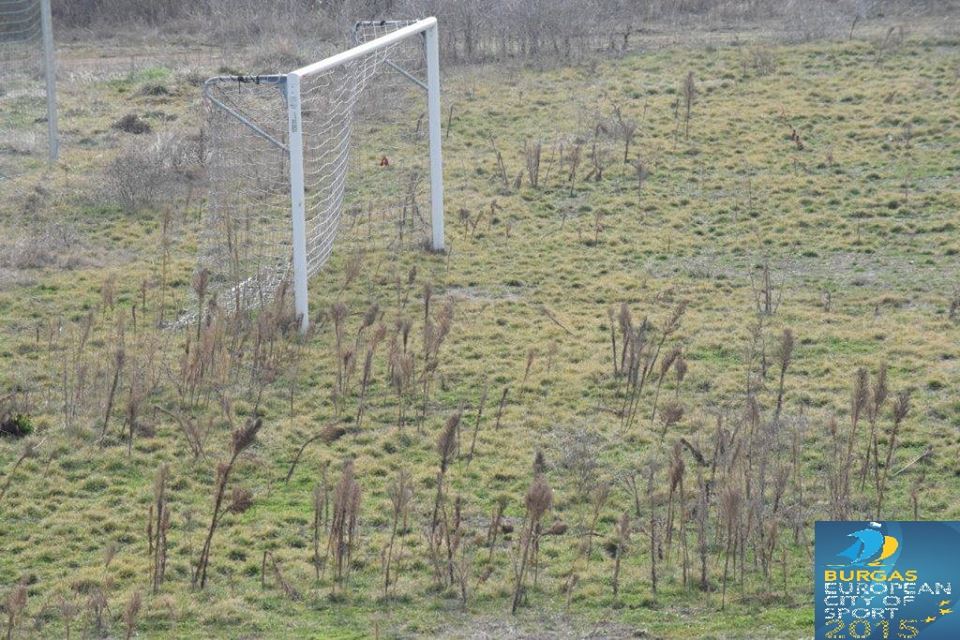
pixel 27 81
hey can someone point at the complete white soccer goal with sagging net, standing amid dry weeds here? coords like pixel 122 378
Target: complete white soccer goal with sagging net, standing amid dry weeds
pixel 343 150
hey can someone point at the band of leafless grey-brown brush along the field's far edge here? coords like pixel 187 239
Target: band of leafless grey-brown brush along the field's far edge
pixel 543 33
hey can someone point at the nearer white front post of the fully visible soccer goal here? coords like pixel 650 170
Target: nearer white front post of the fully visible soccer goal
pixel 297 201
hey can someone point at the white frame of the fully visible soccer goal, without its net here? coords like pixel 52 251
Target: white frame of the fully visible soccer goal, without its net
pixel 289 84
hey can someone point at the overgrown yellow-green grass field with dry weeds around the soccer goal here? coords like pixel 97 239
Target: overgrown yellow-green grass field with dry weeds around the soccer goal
pixel 809 187
